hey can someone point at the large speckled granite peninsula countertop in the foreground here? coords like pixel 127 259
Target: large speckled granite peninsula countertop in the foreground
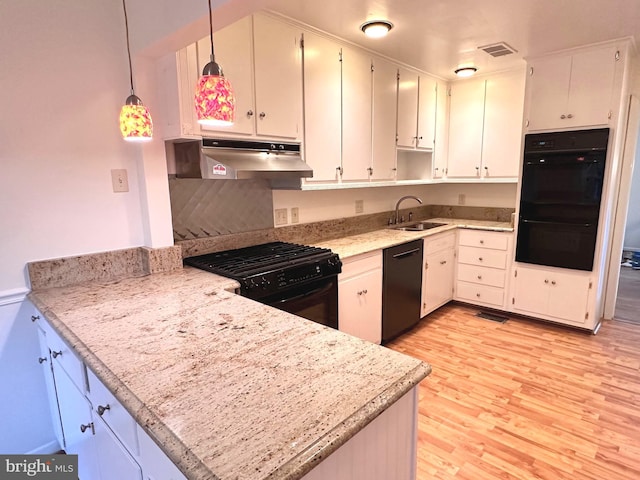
pixel 229 388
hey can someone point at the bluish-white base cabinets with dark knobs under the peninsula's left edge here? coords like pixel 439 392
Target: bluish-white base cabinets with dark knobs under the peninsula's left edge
pixel 91 423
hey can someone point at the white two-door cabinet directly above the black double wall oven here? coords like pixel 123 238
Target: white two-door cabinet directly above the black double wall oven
pixel 572 89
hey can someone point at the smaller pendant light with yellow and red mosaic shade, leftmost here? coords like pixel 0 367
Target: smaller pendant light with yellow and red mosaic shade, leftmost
pixel 135 119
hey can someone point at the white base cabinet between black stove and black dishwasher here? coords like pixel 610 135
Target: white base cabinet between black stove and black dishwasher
pixel 360 296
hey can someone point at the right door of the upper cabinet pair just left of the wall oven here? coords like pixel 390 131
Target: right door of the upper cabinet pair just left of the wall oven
pixel 502 136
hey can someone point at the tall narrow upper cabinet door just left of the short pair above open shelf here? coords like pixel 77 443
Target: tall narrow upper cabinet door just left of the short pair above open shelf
pixel 385 101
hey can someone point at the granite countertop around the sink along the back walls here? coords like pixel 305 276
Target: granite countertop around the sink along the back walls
pixel 354 245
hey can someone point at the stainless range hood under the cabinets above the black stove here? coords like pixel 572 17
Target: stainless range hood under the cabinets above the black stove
pixel 220 159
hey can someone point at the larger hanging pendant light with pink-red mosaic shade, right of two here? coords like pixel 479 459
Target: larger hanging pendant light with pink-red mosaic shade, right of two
pixel 214 100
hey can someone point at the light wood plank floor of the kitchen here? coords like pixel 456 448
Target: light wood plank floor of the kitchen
pixel 526 400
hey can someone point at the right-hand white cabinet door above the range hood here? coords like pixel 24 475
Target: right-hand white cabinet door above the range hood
pixel 278 78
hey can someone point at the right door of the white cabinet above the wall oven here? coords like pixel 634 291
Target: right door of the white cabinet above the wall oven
pixel 591 87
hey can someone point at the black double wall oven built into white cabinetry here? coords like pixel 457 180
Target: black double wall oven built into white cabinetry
pixel 561 189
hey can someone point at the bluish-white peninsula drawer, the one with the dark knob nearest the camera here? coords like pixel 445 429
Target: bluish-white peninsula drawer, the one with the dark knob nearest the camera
pixel 114 414
